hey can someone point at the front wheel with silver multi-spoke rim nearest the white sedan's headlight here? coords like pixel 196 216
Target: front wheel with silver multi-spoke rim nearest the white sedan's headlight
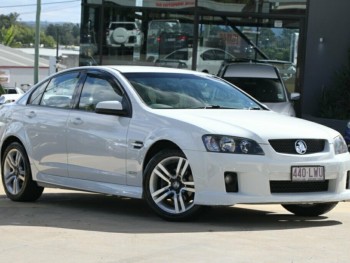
pixel 169 188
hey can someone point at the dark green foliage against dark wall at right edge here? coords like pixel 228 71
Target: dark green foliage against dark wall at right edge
pixel 335 101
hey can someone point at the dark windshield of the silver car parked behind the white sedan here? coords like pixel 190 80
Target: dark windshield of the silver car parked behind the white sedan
pixel 263 89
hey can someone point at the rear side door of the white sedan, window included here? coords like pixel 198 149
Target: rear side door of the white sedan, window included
pixel 46 114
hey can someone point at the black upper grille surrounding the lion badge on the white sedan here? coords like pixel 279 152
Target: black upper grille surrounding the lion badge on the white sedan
pixel 288 145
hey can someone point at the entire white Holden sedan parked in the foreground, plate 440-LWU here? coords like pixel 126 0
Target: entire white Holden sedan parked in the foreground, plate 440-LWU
pixel 179 139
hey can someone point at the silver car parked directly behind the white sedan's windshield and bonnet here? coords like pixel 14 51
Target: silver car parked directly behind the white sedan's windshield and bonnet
pixel 262 81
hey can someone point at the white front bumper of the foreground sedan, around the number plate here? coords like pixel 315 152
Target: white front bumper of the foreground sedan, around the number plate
pixel 255 174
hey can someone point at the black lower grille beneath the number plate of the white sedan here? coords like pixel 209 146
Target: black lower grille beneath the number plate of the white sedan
pixel 298 187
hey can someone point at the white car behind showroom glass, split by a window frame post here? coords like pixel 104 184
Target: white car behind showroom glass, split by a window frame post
pixel 209 60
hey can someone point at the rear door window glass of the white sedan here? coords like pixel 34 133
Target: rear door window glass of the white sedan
pixel 59 92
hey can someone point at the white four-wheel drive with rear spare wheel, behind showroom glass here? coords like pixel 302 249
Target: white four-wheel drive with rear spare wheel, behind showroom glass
pixel 124 34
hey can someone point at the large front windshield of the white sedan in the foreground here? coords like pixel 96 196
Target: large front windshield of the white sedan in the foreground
pixel 186 91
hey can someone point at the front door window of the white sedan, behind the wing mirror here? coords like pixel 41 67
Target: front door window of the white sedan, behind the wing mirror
pixel 95 90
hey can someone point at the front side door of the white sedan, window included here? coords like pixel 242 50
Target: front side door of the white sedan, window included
pixel 97 142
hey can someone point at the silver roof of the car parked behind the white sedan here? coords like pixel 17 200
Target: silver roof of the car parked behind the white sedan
pixel 251 70
